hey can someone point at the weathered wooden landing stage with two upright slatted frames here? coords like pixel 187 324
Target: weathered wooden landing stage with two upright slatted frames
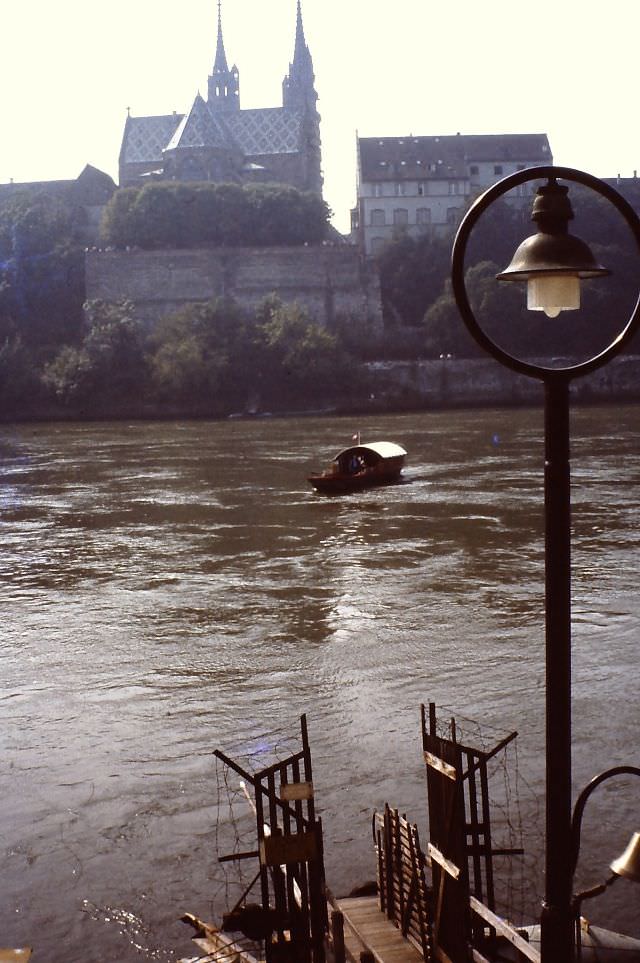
pixel 435 904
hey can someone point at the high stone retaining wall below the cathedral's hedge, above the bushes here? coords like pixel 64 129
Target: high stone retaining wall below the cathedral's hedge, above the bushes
pixel 329 280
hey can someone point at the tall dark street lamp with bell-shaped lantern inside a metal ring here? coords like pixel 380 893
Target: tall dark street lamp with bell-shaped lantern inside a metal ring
pixel 552 262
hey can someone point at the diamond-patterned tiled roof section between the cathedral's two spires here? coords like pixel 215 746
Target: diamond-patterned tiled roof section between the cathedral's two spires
pixel 268 130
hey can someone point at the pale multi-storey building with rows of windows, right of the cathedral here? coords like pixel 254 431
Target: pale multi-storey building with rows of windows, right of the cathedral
pixel 422 185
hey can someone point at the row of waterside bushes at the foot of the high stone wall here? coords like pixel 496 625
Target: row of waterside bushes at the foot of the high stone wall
pixel 204 359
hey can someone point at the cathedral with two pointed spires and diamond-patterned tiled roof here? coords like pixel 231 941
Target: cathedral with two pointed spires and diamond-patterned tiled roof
pixel 216 140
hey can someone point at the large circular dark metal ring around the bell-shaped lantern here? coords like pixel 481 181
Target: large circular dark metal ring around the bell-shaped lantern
pixel 467 225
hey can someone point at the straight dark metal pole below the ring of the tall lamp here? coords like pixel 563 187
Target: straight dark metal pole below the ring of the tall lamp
pixel 557 938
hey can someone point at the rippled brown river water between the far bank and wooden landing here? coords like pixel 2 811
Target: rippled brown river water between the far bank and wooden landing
pixel 172 588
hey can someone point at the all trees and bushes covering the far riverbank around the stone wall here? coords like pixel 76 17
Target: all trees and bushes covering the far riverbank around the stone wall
pixel 65 358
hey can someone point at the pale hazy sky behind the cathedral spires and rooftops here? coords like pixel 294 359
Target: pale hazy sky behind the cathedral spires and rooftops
pixel 70 68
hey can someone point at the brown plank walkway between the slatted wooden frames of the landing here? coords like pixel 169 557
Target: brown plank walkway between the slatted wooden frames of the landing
pixel 367 928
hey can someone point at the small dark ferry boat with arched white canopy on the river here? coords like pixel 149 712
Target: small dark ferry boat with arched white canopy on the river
pixel 361 466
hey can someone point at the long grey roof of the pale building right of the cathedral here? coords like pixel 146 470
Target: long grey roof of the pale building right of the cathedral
pixel 384 158
